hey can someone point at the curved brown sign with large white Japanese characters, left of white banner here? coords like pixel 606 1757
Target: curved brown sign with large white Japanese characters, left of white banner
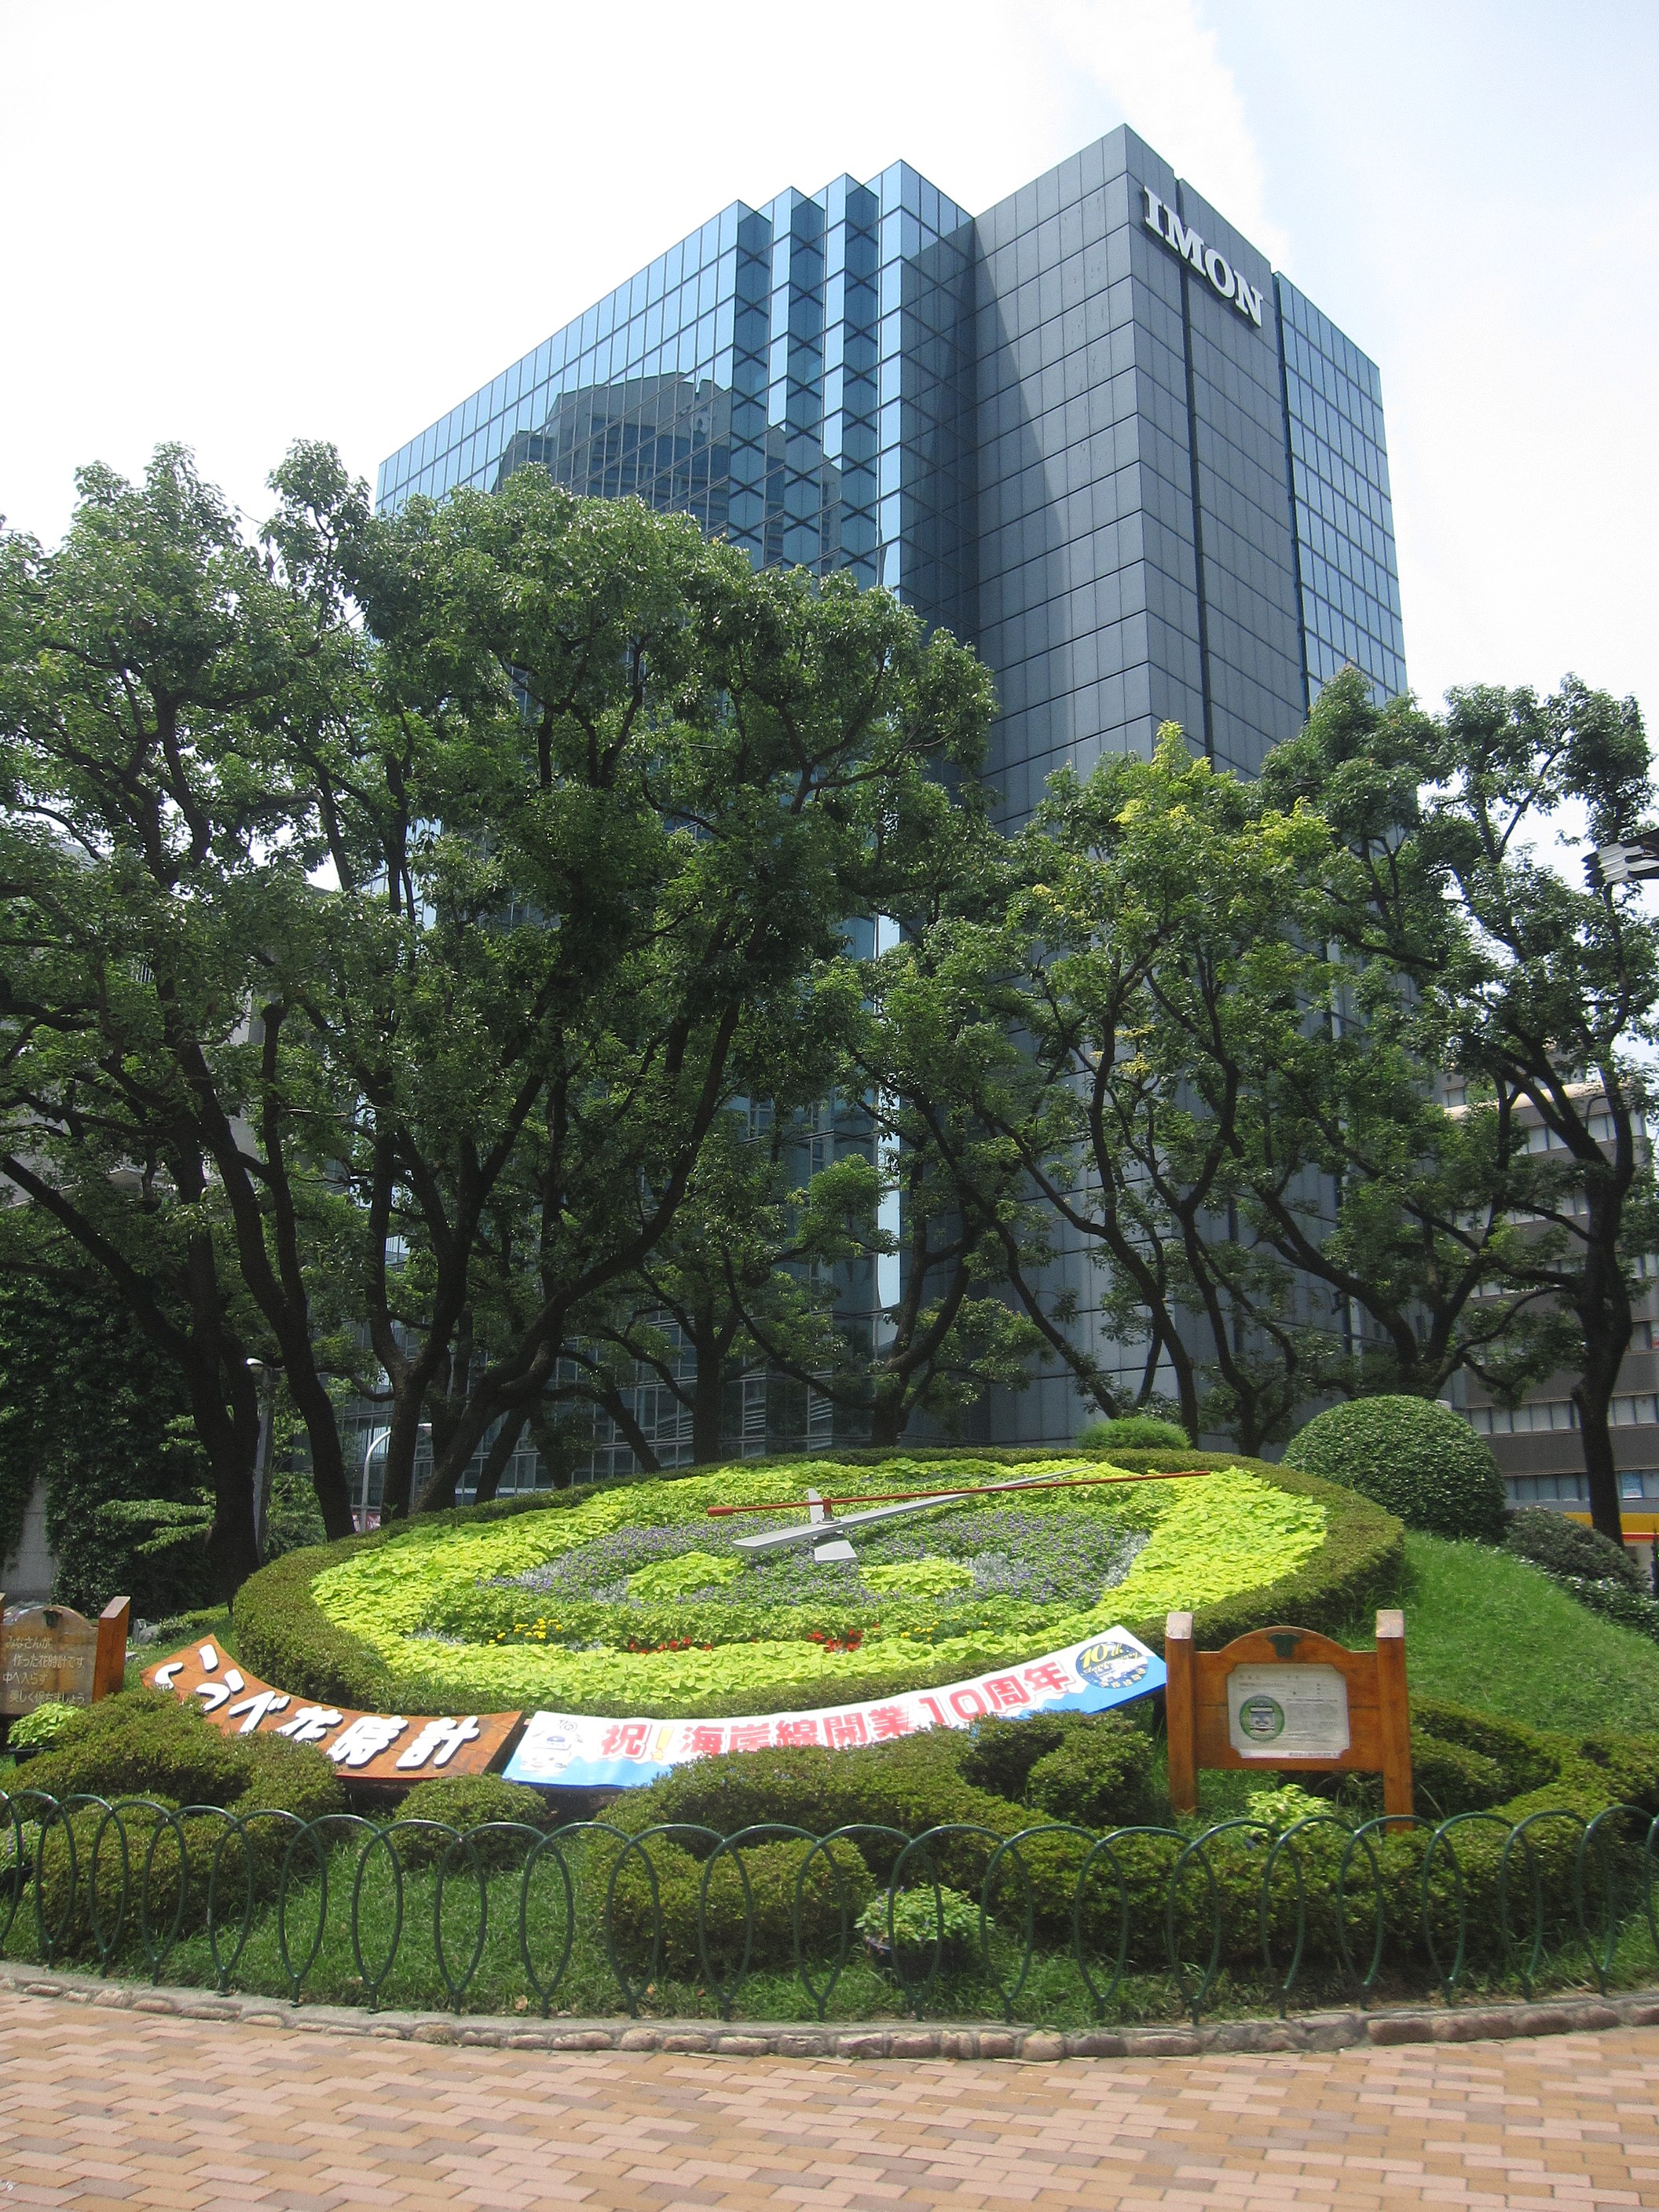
pixel 364 1746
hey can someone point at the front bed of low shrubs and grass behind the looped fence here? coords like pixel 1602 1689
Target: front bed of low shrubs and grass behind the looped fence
pixel 656 1912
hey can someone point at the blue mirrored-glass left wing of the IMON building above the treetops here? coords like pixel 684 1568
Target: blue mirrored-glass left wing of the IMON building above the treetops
pixel 795 377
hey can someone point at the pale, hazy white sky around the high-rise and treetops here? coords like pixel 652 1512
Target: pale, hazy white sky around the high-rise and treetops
pixel 242 225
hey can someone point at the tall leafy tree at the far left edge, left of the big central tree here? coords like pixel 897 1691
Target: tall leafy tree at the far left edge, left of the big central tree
pixel 163 685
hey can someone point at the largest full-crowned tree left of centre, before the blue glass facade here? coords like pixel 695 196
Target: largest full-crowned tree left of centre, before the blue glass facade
pixel 665 784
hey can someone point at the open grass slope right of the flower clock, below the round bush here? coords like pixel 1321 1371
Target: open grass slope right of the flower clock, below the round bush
pixel 1485 1629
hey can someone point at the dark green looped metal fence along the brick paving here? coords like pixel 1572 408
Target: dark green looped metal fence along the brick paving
pixel 786 1923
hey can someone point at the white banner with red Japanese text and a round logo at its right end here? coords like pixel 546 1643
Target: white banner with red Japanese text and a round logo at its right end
pixel 574 1751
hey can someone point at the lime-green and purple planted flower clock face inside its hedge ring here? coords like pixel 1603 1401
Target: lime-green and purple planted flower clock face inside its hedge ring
pixel 640 1600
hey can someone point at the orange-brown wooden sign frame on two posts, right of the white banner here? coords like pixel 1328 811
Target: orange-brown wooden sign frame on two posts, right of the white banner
pixel 1379 1718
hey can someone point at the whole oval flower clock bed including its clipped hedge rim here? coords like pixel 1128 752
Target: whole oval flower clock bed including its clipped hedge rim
pixel 632 1600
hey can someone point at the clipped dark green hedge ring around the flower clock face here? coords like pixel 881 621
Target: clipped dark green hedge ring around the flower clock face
pixel 289 1640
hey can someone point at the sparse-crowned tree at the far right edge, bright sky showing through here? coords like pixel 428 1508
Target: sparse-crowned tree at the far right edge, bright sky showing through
pixel 1538 994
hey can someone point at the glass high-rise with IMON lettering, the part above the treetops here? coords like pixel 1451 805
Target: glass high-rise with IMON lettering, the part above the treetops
pixel 1092 432
